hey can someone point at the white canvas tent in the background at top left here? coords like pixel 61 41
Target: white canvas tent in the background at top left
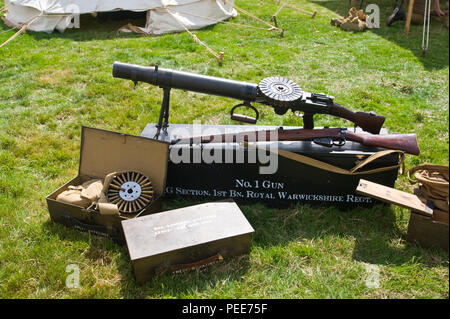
pixel 163 16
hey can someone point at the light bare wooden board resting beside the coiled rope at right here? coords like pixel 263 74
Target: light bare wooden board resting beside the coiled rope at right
pixel 393 196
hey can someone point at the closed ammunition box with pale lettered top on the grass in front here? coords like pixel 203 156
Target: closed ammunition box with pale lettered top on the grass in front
pixel 186 238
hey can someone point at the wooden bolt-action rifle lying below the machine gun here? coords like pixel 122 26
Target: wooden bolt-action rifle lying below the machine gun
pixel 403 142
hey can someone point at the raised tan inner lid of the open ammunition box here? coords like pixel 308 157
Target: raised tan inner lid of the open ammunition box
pixel 103 152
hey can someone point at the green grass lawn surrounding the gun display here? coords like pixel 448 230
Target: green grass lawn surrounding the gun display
pixel 52 84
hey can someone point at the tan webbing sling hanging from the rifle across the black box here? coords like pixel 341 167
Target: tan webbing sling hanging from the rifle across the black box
pixel 334 169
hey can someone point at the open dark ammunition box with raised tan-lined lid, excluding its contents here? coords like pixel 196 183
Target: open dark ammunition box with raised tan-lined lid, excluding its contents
pixel 101 153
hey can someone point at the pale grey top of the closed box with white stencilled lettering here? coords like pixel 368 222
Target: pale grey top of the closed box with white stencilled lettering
pixel 184 227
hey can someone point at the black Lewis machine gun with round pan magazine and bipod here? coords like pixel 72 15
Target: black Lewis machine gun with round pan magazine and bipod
pixel 280 93
